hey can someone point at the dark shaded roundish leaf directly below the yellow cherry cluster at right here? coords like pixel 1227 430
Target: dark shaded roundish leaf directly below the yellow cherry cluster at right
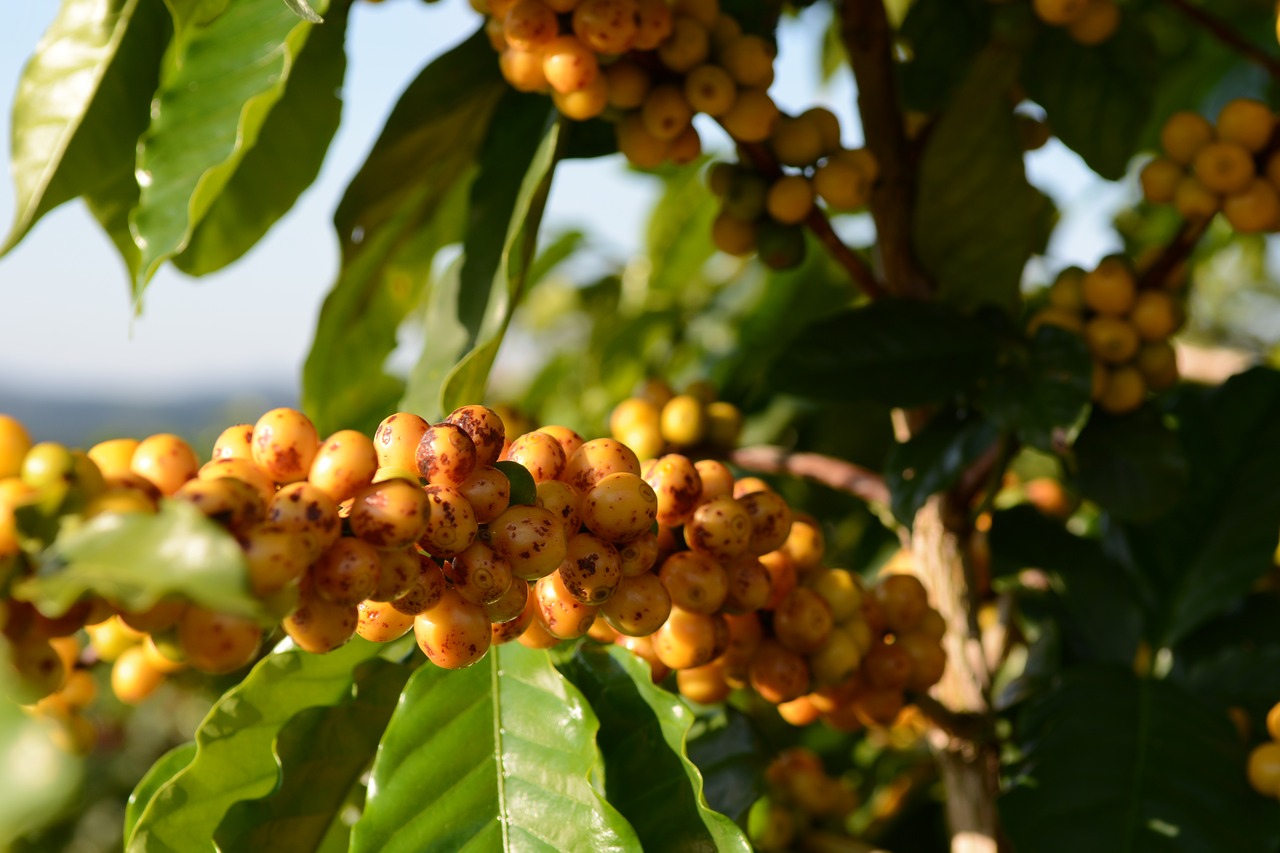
pixel 1132 466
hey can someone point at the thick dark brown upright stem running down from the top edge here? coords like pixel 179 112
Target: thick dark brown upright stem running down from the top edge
pixel 870 44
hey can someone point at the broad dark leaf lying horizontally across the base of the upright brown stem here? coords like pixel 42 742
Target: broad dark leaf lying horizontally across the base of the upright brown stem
pixel 899 353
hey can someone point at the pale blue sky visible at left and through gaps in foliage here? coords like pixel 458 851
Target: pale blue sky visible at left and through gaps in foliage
pixel 66 322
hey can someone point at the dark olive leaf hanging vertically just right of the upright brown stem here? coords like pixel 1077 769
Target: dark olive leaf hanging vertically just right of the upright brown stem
pixel 976 216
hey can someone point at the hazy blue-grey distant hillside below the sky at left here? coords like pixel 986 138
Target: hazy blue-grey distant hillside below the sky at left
pixel 81 422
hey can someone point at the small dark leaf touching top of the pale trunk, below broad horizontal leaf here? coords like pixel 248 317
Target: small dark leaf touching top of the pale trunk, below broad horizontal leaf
pixel 934 460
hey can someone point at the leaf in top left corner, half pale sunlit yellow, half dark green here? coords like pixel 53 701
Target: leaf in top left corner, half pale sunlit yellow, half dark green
pixel 81 104
